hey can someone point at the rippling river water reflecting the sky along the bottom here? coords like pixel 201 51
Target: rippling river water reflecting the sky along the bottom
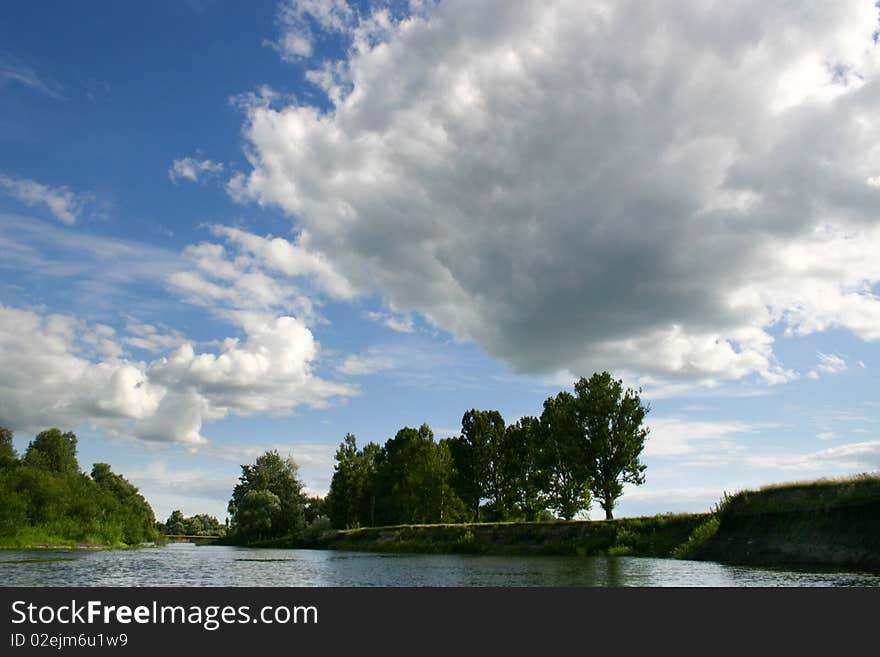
pixel 185 564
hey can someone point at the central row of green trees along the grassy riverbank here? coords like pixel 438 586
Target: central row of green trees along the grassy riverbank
pixel 583 447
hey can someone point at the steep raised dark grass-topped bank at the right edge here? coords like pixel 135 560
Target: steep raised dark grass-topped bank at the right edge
pixel 825 523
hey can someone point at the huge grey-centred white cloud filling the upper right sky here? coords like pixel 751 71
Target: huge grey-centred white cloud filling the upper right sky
pixel 491 168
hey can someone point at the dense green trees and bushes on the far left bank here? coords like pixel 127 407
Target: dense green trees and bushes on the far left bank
pixel 48 499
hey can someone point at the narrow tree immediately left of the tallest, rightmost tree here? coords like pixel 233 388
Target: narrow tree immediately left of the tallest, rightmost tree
pixel 563 457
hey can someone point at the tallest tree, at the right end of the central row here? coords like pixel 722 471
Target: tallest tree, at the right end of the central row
pixel 611 420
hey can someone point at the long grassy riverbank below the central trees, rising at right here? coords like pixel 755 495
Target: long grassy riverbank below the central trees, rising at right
pixel 825 524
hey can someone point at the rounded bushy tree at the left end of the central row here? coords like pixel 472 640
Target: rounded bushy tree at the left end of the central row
pixel 285 505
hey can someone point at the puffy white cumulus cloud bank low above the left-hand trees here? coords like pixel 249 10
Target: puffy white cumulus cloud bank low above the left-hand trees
pixel 55 377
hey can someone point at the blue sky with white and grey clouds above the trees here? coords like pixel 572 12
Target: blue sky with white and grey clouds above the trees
pixel 232 227
